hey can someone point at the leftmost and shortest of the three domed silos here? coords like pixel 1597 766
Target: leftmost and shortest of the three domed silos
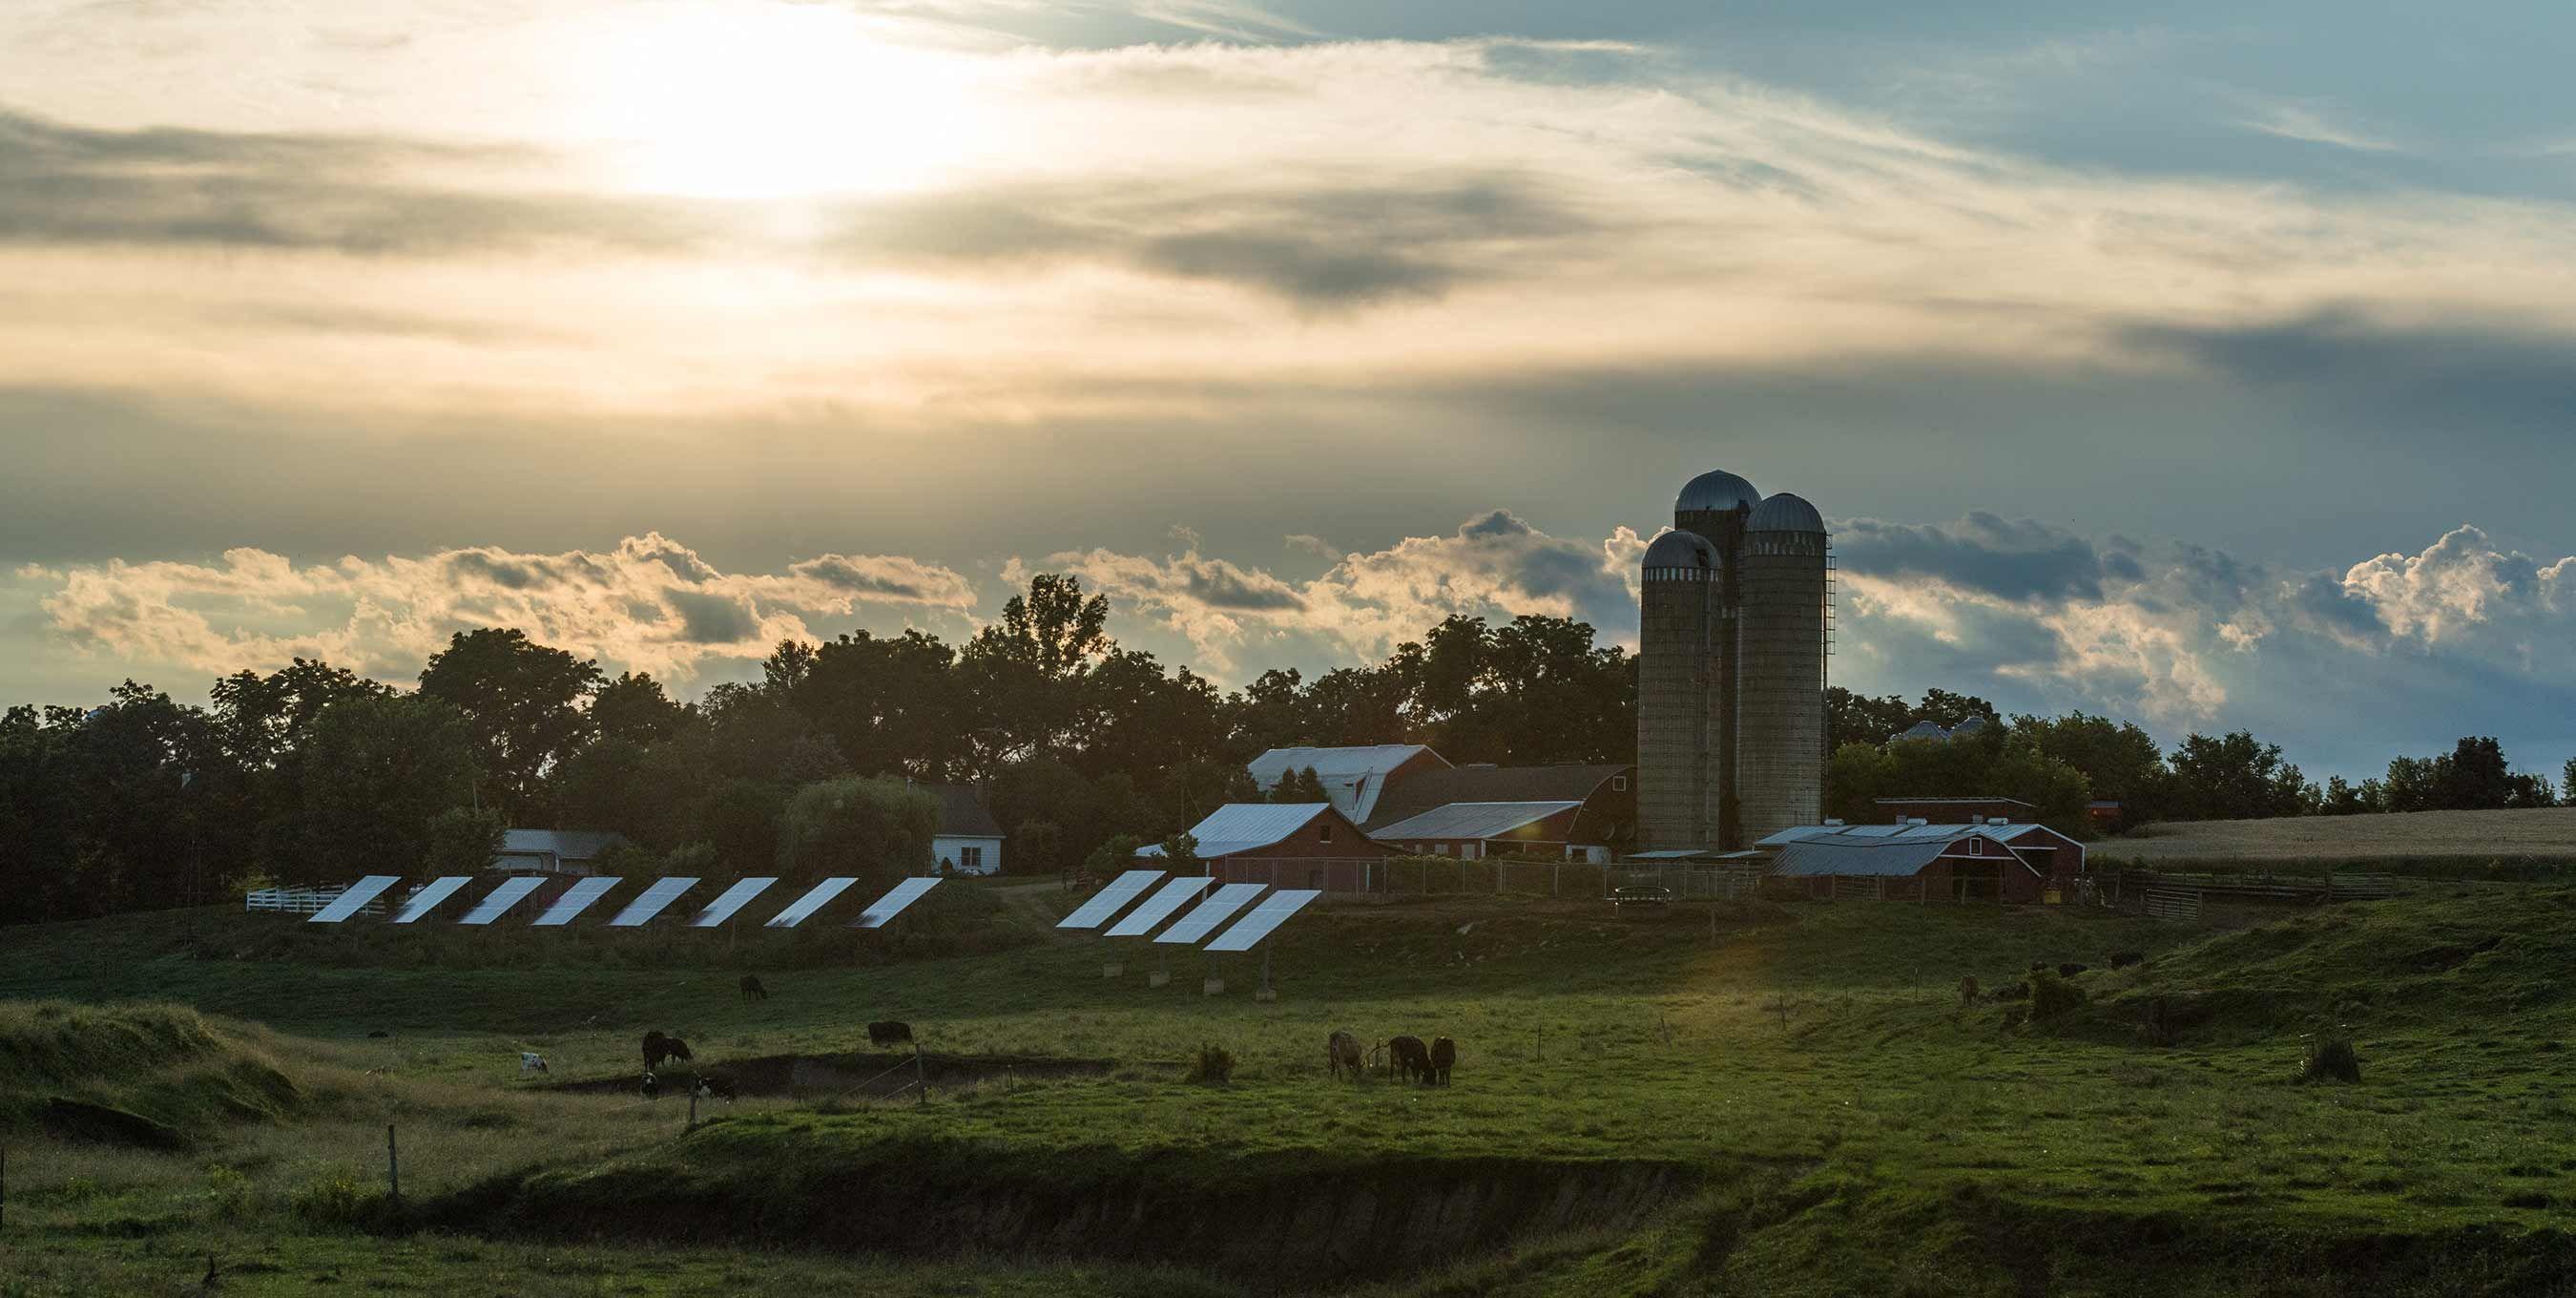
pixel 1676 776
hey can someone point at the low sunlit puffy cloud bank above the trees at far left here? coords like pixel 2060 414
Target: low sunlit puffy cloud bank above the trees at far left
pixel 648 604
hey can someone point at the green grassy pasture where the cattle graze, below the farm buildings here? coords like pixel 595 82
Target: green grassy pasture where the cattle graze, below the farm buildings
pixel 1763 1101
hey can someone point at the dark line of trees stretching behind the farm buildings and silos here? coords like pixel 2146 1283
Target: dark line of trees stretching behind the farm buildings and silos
pixel 1083 751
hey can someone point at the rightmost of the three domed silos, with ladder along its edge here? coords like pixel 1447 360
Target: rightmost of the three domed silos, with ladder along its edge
pixel 1779 771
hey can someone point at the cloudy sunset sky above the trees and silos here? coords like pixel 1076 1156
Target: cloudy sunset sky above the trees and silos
pixel 2204 364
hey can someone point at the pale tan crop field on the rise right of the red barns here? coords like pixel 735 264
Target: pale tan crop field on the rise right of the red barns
pixel 2528 836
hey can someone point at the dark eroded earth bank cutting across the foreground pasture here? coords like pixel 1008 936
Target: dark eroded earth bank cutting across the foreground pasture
pixel 1264 1222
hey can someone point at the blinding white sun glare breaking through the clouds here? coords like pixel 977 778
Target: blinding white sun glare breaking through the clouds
pixel 772 102
